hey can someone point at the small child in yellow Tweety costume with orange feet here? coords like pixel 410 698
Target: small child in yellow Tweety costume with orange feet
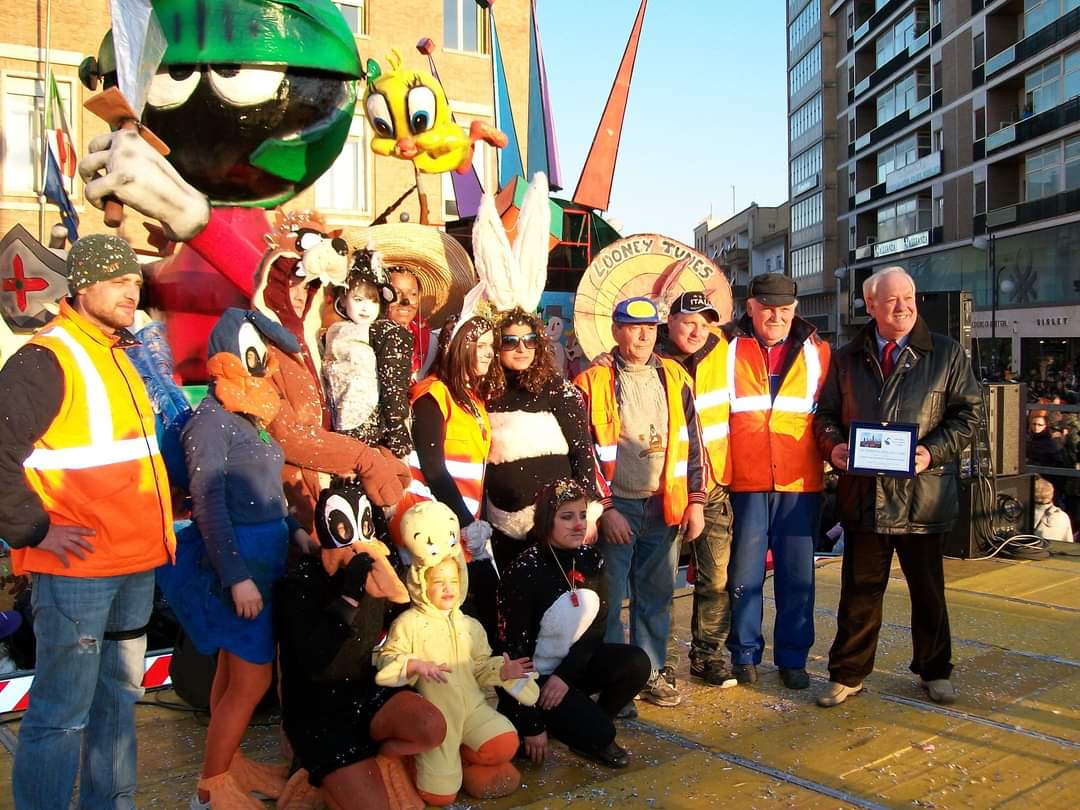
pixel 445 655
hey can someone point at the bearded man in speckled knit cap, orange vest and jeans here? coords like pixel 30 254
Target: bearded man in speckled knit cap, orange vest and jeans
pixel 86 509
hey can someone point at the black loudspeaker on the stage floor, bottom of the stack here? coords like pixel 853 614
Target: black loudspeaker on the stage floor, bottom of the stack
pixel 1005 511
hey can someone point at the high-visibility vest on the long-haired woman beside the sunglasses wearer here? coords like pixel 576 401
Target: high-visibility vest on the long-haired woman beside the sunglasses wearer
pixel 467 438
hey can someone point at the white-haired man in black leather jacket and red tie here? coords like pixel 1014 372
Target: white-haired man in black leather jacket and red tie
pixel 897 371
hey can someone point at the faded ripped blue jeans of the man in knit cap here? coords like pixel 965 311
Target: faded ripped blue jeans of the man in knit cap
pixel 85 691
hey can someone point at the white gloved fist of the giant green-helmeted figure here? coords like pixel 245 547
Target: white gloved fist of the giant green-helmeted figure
pixel 137 175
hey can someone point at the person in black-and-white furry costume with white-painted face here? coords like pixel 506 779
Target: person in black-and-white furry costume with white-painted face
pixel 368 360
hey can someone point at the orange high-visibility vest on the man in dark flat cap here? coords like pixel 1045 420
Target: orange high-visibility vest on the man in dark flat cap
pixel 772 444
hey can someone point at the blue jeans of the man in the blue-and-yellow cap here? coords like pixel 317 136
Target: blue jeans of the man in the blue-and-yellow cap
pixel 646 569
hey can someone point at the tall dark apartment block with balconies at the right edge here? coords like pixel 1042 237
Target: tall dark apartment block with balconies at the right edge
pixel 962 127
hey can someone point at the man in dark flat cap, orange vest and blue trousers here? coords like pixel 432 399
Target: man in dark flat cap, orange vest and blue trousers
pixel 777 367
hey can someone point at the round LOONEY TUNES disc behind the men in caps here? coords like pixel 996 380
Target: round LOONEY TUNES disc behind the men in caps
pixel 645 265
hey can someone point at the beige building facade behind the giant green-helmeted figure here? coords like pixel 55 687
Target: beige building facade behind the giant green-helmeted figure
pixel 354 192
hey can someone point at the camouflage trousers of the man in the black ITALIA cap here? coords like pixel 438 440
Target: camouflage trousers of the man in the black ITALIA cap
pixel 711 619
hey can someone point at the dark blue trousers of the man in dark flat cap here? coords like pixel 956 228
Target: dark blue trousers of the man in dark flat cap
pixel 787 523
